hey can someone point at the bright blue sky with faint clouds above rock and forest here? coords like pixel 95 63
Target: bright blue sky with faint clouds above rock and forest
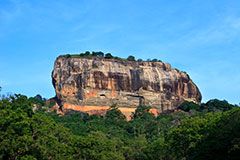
pixel 199 37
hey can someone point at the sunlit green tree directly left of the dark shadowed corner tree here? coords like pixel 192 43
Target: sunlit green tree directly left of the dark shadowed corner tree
pixel 183 138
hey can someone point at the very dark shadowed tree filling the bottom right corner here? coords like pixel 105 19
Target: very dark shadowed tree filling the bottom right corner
pixel 222 139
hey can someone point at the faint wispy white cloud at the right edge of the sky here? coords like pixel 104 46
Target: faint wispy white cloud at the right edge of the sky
pixel 219 32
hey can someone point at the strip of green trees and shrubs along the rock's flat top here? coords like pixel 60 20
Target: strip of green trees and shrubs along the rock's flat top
pixel 100 54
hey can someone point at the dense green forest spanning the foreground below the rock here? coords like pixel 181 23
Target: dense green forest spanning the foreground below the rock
pixel 207 131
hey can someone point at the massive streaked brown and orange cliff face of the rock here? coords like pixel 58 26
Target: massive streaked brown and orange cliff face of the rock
pixel 92 85
